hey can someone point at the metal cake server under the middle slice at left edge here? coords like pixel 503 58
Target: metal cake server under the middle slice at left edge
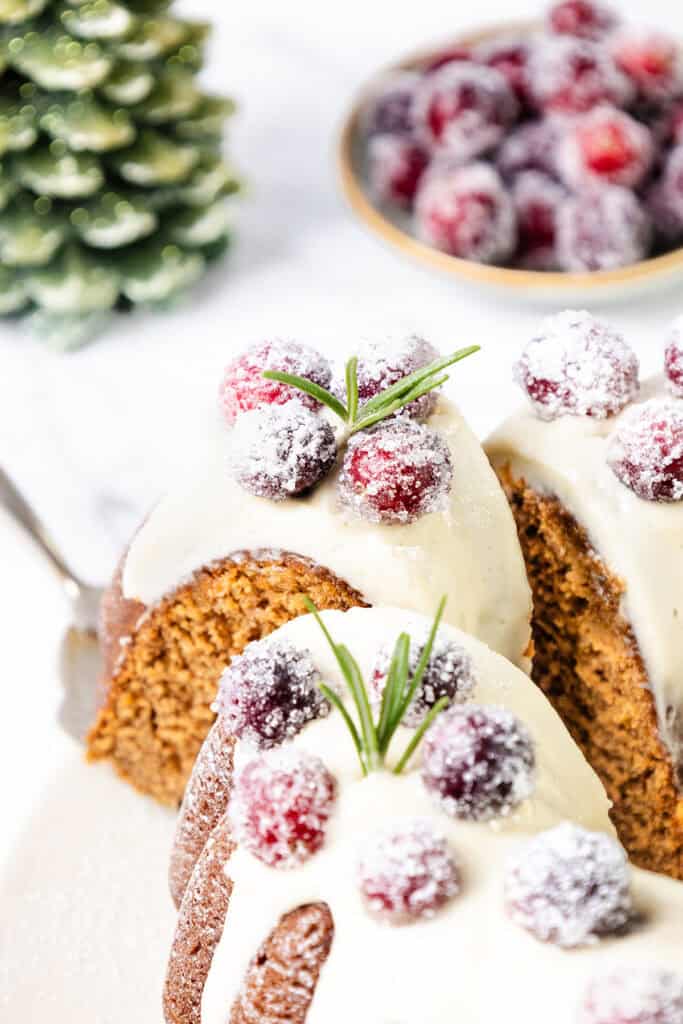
pixel 80 659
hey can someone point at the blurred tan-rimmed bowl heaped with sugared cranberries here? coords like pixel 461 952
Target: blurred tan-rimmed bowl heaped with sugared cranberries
pixel 542 159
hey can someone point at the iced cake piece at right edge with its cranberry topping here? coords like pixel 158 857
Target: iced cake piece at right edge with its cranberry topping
pixel 594 475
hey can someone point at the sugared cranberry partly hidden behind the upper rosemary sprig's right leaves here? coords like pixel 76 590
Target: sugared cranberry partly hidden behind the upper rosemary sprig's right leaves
pixel 382 364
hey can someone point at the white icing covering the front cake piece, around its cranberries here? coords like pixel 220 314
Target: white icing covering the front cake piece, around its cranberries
pixel 469 964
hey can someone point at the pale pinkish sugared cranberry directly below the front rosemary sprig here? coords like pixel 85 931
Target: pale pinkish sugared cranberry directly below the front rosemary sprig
pixel 408 872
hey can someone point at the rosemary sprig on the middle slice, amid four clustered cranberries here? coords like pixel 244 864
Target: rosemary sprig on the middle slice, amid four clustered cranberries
pixel 380 406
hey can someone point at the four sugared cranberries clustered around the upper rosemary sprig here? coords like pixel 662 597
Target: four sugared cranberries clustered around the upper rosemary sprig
pixel 395 473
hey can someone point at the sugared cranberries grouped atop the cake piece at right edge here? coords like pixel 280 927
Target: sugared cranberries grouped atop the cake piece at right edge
pixel 578 366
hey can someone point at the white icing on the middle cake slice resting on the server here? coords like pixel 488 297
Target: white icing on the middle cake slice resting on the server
pixel 468 551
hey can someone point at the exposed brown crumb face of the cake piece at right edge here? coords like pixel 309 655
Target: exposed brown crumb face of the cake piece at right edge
pixel 588 664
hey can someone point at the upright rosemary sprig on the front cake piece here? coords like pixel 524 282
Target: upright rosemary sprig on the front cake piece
pixel 373 739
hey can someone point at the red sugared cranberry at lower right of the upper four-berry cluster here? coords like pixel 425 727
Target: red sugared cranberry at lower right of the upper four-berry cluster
pixel 396 474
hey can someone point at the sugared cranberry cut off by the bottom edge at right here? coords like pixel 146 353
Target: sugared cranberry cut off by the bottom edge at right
pixel 635 996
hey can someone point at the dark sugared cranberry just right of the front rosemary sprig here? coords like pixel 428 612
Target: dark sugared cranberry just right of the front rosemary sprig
pixel 479 762
